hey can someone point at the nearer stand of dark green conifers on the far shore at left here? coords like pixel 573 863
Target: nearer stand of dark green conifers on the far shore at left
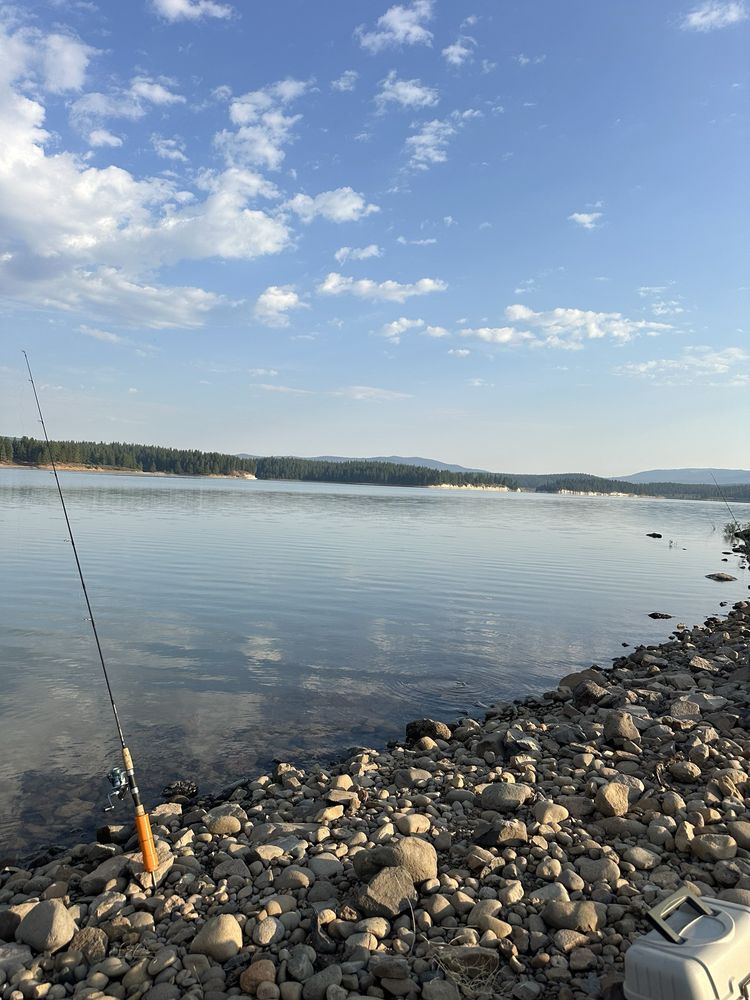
pixel 138 457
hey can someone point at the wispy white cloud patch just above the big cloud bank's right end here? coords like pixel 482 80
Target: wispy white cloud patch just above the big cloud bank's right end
pixel 263 126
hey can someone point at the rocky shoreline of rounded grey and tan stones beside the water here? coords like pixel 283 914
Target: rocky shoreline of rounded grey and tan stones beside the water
pixel 513 857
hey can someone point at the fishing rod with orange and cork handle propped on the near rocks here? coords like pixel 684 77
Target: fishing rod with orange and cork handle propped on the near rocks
pixel 122 778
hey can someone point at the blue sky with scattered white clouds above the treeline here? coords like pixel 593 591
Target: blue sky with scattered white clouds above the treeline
pixel 506 234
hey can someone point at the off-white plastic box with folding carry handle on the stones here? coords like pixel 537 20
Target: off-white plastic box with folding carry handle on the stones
pixel 699 950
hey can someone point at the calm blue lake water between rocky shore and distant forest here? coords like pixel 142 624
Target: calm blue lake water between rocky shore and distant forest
pixel 247 621
